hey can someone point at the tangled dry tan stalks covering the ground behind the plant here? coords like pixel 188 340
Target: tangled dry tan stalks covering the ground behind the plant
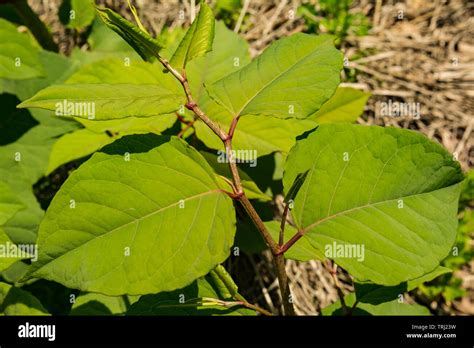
pixel 426 57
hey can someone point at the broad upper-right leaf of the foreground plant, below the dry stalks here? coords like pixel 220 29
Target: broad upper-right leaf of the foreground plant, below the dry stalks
pixel 291 79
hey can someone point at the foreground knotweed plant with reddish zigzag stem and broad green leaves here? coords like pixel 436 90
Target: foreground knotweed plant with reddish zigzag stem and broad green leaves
pixel 151 214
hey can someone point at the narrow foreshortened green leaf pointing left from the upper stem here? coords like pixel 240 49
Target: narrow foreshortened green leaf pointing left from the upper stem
pixel 104 101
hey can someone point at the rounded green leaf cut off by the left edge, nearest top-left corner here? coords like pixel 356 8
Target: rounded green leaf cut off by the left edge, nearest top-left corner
pixel 19 57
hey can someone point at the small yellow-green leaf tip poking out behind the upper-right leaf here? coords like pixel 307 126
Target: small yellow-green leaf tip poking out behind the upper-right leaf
pixel 346 105
